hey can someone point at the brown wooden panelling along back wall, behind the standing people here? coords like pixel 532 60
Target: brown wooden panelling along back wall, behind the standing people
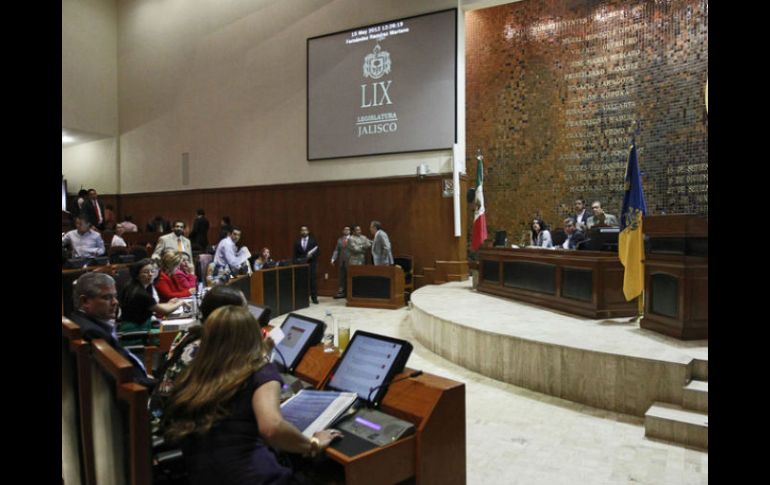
pixel 413 212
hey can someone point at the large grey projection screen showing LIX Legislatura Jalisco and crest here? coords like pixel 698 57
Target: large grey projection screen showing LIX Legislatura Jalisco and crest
pixel 384 88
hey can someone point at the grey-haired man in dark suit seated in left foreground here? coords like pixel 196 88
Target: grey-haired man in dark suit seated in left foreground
pixel 96 301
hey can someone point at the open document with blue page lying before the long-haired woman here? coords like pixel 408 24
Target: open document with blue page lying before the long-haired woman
pixel 311 410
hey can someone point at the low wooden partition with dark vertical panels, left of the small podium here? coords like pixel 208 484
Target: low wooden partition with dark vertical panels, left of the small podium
pixel 282 288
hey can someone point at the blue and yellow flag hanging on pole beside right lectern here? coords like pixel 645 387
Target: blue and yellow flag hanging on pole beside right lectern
pixel 631 238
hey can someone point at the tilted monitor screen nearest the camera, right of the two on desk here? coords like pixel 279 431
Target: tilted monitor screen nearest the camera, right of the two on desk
pixel 369 362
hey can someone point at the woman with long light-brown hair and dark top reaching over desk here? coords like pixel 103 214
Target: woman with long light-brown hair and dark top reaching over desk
pixel 224 410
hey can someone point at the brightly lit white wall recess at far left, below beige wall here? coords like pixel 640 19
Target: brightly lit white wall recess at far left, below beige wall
pixel 91 165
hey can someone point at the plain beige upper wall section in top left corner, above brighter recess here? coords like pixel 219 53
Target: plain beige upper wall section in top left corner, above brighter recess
pixel 90 66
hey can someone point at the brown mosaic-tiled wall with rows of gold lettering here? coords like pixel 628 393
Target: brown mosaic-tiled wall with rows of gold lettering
pixel 553 89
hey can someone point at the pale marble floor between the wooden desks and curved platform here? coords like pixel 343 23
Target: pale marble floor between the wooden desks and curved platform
pixel 517 436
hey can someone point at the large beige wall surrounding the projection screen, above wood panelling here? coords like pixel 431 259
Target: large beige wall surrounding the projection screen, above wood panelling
pixel 225 81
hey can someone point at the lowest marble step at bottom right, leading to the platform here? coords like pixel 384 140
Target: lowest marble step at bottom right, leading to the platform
pixel 670 422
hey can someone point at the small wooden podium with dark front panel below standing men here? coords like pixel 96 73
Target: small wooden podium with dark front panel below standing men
pixel 375 286
